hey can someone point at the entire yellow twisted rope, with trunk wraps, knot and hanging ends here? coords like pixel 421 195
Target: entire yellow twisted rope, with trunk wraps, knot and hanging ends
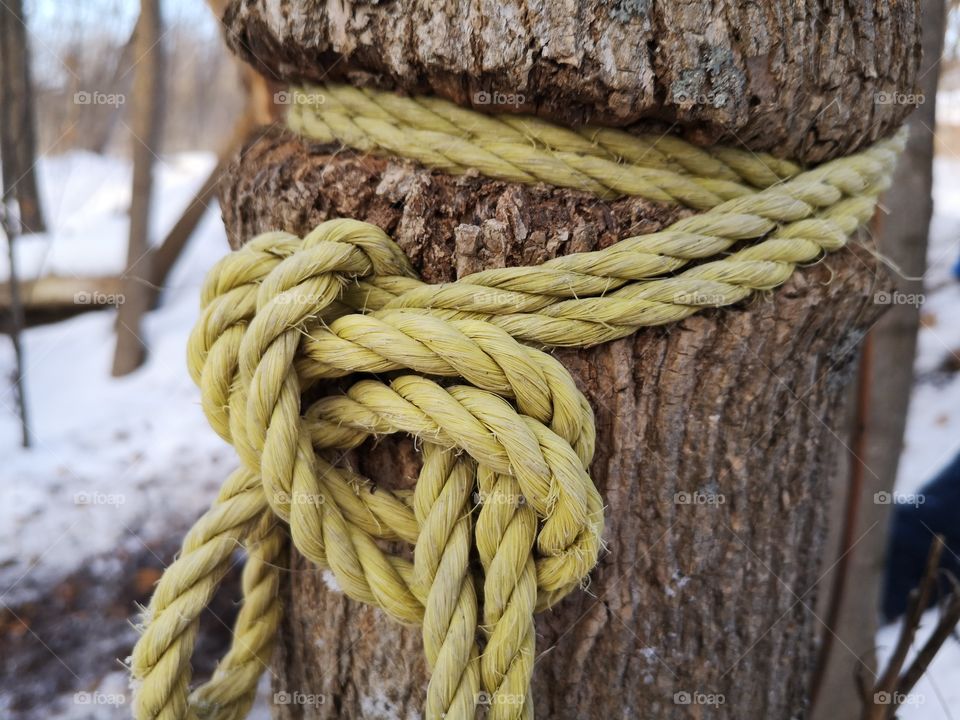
pixel 507 444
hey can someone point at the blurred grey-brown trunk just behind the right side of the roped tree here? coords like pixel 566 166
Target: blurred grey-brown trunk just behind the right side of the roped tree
pixel 887 378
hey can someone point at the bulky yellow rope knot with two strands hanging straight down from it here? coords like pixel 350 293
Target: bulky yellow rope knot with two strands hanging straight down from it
pixel 506 447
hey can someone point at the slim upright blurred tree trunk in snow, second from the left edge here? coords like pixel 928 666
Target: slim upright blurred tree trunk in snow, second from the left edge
pixel 147 116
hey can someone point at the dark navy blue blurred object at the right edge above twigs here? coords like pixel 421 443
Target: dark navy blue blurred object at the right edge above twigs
pixel 935 509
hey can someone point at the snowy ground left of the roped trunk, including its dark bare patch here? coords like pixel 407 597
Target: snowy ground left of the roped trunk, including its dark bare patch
pixel 119 467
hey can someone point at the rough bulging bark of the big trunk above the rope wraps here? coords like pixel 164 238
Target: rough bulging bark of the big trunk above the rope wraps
pixel 799 78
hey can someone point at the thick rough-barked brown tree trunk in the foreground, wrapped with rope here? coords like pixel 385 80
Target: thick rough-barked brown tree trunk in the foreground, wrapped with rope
pixel 716 435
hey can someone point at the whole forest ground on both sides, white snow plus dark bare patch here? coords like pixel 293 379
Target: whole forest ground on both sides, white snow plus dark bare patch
pixel 121 467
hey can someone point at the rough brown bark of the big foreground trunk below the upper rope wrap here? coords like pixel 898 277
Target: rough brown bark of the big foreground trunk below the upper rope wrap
pixel 737 405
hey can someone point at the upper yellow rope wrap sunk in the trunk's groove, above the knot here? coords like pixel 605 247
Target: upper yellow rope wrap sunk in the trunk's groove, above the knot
pixel 524 149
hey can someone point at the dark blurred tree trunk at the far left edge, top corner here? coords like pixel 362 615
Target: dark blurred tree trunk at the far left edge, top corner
pixel 18 142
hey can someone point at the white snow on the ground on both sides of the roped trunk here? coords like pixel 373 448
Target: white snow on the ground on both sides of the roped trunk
pixel 121 464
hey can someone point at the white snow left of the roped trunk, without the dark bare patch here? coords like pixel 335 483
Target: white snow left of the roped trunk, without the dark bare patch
pixel 116 462
